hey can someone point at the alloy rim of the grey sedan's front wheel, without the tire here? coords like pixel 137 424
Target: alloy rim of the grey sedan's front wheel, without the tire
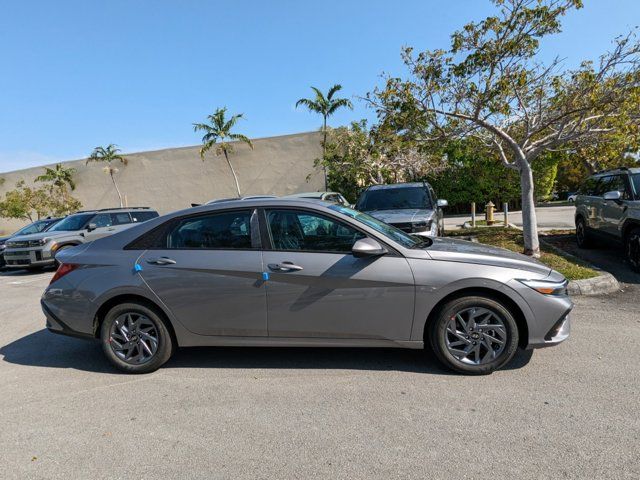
pixel 476 336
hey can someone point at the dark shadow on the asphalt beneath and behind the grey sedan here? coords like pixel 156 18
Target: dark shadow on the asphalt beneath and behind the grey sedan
pixel 45 349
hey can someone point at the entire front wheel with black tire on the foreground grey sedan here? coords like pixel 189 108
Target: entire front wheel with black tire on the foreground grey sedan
pixel 440 336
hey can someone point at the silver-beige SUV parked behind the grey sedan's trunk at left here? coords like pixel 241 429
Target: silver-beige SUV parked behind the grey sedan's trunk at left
pixel 39 249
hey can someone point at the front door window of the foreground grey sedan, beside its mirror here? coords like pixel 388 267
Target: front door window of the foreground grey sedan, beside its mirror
pixel 307 231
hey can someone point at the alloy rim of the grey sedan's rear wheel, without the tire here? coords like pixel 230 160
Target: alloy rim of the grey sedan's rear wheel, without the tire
pixel 134 338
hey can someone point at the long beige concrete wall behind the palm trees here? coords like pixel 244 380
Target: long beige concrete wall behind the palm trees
pixel 172 179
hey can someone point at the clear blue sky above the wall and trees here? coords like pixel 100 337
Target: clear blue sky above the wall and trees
pixel 76 74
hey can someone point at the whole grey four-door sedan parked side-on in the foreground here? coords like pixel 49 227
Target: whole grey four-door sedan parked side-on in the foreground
pixel 292 272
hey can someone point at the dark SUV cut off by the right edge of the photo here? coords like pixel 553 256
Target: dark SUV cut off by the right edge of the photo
pixel 608 207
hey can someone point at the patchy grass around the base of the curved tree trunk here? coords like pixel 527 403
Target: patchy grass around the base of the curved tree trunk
pixel 511 239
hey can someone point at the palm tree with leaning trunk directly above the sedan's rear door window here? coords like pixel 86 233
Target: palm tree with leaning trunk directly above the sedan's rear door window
pixel 218 132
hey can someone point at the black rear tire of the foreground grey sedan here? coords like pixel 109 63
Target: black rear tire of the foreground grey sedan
pixel 164 341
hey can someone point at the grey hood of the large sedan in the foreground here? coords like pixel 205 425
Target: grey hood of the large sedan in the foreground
pixel 453 250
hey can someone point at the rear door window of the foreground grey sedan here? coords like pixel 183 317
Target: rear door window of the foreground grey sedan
pixel 224 230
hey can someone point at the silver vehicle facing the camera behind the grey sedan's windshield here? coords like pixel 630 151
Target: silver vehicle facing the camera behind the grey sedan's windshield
pixel 411 207
